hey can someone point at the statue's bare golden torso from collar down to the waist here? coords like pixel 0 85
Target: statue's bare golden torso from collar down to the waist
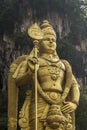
pixel 51 75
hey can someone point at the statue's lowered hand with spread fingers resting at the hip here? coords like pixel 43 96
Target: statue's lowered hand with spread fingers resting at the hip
pixel 68 107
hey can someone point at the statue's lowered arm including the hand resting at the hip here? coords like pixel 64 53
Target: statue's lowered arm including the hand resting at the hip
pixel 73 93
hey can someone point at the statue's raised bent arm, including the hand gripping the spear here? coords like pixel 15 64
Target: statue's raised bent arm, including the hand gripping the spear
pixel 24 71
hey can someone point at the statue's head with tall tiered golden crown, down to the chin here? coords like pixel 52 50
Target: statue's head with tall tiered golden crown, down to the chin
pixel 48 43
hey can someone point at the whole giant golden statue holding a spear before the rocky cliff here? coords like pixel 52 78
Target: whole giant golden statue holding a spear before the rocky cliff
pixel 54 97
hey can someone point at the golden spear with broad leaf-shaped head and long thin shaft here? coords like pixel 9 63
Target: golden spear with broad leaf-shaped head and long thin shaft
pixel 36 34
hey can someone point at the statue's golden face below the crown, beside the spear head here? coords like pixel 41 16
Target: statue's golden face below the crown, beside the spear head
pixel 48 44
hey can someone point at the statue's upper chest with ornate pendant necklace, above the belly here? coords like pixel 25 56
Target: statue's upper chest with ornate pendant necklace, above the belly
pixel 52 69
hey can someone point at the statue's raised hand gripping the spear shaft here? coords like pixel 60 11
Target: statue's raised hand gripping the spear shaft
pixel 32 61
